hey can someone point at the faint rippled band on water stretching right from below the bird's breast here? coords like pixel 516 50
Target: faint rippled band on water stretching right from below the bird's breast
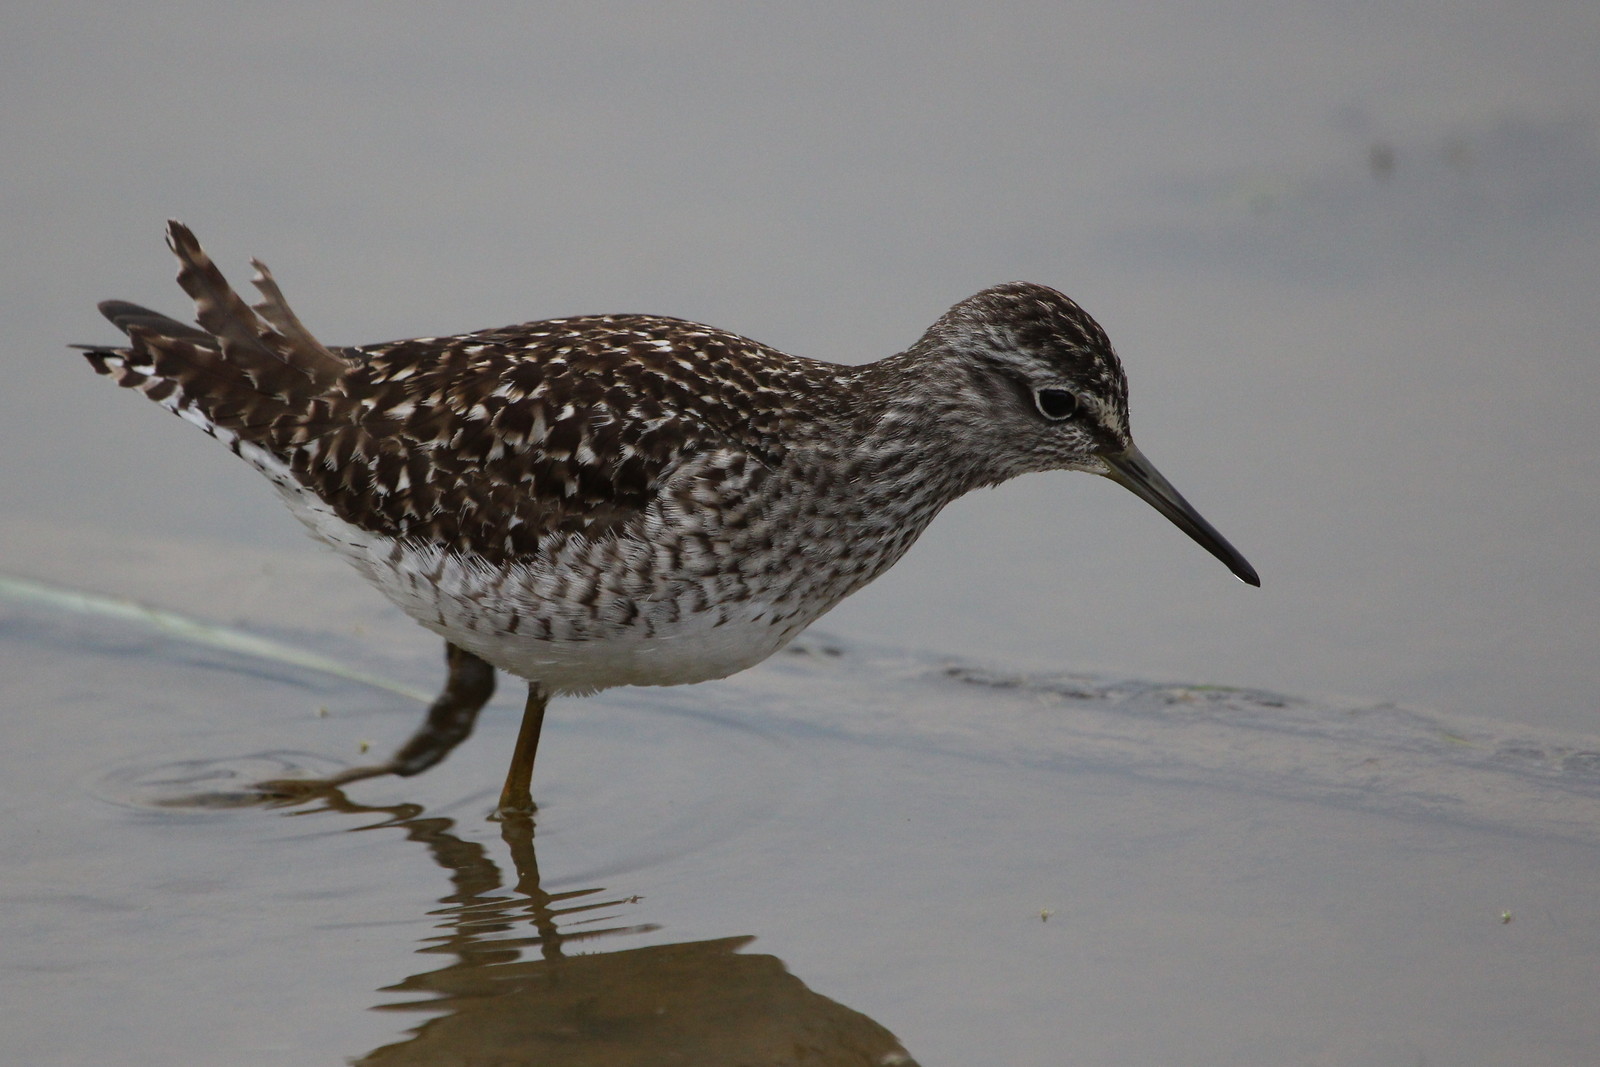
pixel 1378 757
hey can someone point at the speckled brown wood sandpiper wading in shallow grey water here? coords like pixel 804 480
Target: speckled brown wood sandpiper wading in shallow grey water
pixel 628 500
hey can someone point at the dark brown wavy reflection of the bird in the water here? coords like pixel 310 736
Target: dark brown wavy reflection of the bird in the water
pixel 577 1005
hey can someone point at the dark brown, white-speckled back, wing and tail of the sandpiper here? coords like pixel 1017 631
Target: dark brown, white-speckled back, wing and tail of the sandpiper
pixel 486 442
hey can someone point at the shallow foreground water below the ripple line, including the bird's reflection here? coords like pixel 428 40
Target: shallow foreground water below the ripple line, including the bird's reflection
pixel 849 850
